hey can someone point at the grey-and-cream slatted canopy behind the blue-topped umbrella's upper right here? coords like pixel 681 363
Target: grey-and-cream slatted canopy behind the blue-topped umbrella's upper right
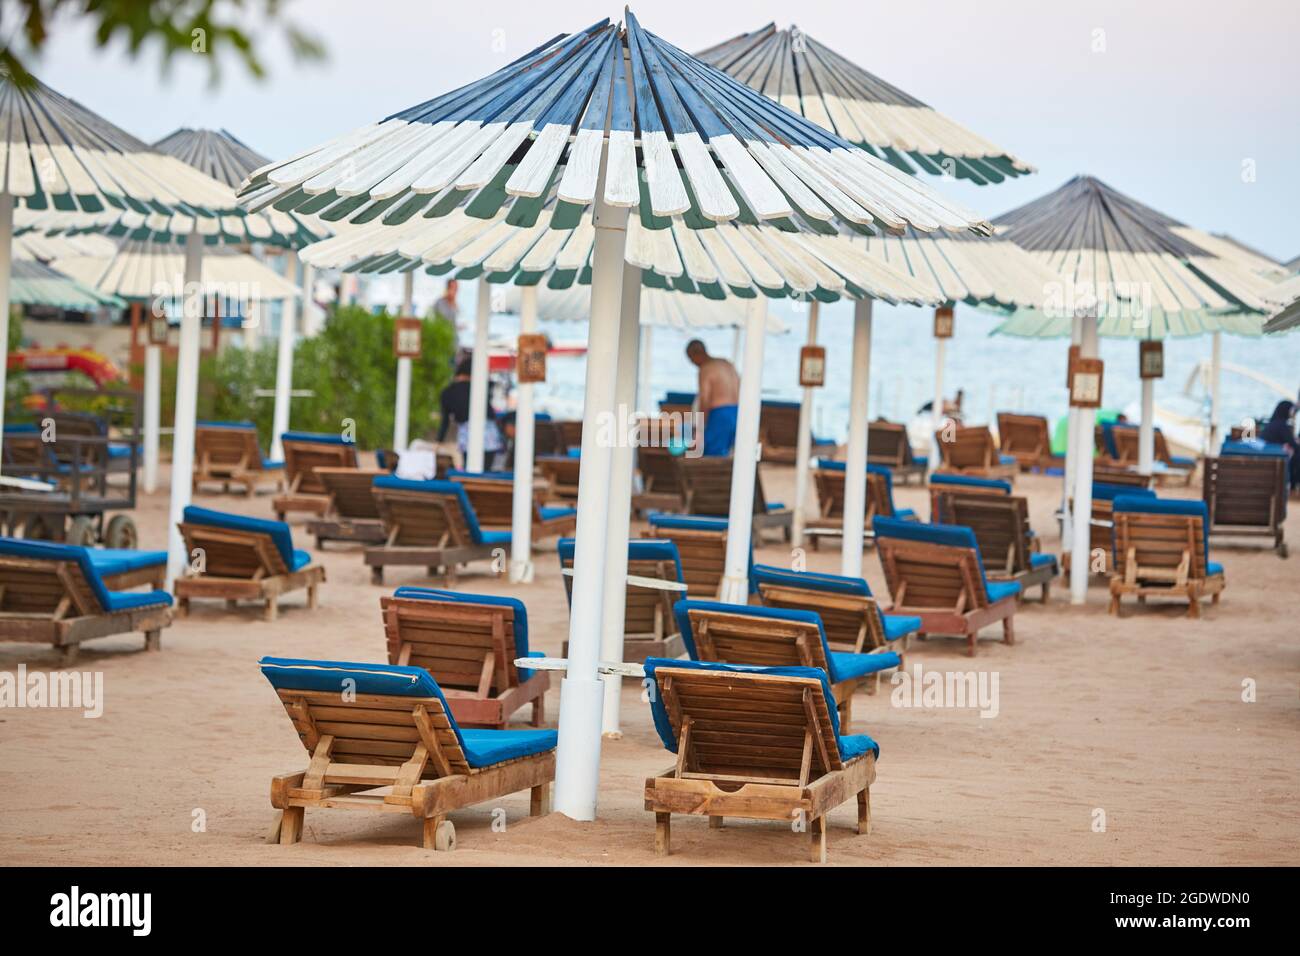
pixel 837 94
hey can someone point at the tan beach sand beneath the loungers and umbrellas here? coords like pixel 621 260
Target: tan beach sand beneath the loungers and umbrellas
pixel 1141 719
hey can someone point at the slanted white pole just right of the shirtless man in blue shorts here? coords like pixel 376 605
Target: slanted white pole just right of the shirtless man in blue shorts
pixel 740 521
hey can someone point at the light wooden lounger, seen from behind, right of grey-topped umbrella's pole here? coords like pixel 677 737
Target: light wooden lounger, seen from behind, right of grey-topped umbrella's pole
pixel 1163 553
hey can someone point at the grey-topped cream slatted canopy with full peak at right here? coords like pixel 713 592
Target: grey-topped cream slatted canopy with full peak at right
pixel 1145 274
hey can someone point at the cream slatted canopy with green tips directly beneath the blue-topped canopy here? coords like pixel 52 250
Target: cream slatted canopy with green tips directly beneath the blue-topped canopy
pixel 730 259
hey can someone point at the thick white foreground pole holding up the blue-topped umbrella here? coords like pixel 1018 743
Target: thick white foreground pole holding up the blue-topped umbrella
pixel 578 756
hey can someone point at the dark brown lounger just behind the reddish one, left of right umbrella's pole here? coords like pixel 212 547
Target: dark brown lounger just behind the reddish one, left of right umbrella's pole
pixel 1011 551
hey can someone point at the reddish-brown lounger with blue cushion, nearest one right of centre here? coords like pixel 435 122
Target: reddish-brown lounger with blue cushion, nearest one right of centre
pixel 942 583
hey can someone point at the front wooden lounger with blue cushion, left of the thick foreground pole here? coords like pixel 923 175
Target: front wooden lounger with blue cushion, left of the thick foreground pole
pixel 396 732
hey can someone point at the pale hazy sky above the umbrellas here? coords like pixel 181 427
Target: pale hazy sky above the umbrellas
pixel 1190 107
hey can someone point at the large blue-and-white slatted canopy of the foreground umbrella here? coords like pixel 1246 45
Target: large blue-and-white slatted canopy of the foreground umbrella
pixel 686 141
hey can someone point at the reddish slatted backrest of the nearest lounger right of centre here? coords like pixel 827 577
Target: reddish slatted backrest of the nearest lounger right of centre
pixel 926 576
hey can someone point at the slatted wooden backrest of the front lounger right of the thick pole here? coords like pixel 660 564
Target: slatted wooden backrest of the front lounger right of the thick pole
pixel 749 725
